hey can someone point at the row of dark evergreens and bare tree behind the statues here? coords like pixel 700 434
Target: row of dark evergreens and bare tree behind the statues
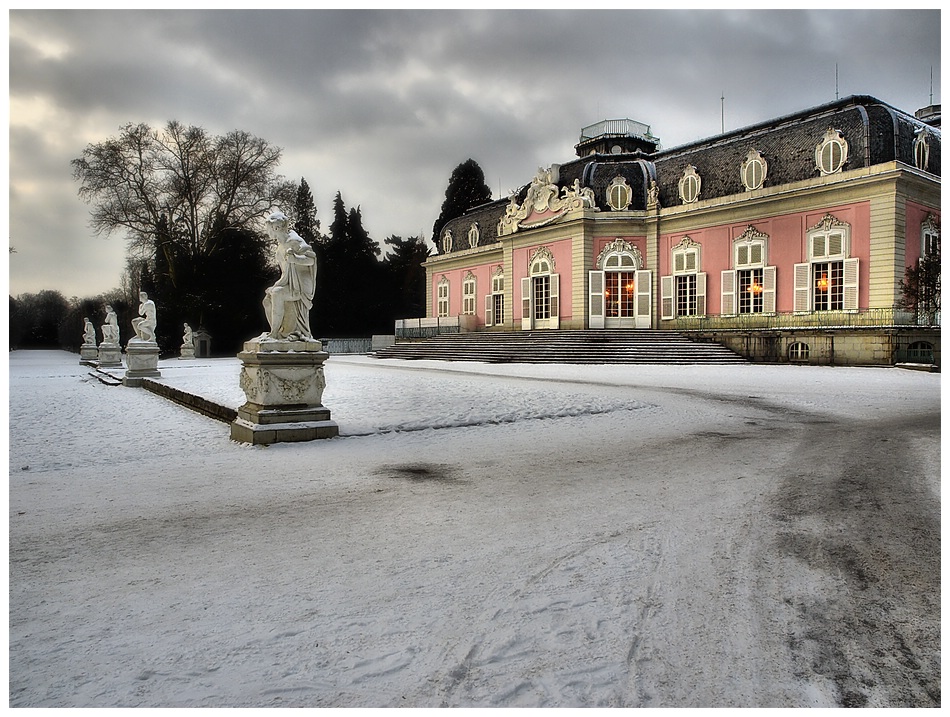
pixel 189 205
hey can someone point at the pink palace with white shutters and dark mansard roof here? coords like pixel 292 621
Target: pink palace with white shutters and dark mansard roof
pixel 785 240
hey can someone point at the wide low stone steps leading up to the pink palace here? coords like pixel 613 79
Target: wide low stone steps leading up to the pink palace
pixel 613 346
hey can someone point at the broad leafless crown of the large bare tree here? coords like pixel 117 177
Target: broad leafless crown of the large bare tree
pixel 195 184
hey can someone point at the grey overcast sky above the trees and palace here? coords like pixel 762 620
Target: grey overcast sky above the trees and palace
pixel 383 105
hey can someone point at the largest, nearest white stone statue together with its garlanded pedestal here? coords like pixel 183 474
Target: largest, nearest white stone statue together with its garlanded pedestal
pixel 282 369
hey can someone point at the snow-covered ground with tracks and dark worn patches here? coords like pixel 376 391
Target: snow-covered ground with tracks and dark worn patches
pixel 479 535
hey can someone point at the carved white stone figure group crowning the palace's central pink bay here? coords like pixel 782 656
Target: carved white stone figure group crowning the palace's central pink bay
pixel 543 204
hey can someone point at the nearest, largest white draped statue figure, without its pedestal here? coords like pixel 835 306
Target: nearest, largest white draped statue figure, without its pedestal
pixel 288 302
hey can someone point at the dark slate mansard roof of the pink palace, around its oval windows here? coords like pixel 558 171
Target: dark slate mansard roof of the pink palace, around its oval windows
pixel 876 133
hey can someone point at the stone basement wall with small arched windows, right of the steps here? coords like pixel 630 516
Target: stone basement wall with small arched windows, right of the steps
pixel 883 346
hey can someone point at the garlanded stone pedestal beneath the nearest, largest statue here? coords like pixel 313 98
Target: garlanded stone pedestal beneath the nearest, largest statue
pixel 283 382
